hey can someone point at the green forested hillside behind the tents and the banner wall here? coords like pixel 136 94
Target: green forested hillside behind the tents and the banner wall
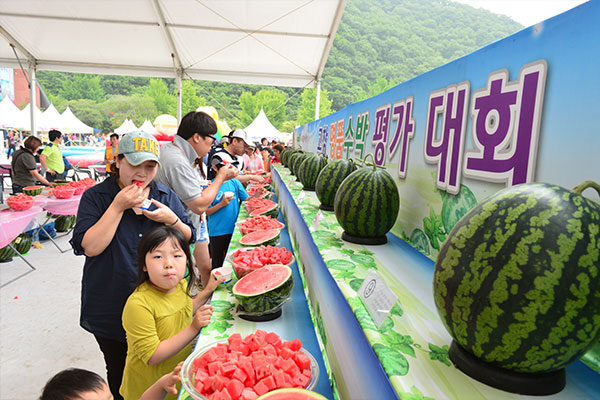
pixel 380 43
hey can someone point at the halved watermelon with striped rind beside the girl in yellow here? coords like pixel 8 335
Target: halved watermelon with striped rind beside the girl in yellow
pixel 264 289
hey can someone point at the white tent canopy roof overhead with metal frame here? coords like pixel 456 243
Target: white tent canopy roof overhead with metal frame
pixel 269 42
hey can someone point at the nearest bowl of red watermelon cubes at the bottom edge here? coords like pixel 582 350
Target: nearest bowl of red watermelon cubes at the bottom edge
pixel 244 368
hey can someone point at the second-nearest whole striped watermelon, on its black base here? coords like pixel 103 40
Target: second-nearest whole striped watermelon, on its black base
pixel 366 205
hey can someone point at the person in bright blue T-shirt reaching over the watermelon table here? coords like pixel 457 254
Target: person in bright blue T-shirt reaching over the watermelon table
pixel 222 215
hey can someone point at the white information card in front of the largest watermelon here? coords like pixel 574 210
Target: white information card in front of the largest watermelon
pixel 377 297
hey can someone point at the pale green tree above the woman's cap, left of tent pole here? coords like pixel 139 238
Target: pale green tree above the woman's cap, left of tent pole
pixel 137 107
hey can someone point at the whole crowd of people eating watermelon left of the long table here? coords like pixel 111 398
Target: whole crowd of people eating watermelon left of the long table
pixel 144 295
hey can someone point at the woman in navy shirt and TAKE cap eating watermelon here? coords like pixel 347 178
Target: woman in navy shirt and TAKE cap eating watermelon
pixel 110 225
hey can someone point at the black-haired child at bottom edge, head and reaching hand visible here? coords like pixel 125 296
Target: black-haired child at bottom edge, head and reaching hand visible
pixel 79 384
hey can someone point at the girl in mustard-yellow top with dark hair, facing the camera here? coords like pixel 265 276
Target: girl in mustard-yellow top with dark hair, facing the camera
pixel 160 317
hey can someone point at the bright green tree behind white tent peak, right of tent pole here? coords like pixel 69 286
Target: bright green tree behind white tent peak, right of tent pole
pixel 270 100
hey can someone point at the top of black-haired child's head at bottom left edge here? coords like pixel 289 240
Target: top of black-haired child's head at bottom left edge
pixel 76 384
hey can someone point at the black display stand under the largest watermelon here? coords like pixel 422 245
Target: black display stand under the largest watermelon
pixel 543 384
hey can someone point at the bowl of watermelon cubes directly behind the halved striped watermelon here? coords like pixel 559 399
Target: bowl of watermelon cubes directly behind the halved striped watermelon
pixel 250 259
